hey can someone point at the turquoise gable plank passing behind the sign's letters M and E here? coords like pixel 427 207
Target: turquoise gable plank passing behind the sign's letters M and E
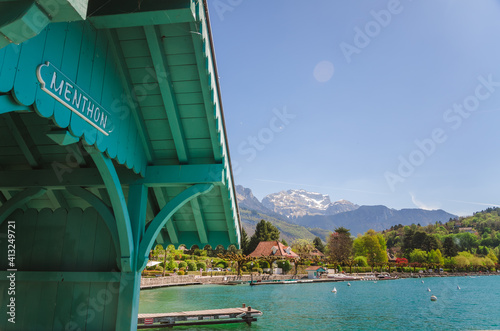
pixel 69 66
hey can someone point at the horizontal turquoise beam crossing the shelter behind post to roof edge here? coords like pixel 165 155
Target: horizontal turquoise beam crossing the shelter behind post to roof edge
pixel 156 176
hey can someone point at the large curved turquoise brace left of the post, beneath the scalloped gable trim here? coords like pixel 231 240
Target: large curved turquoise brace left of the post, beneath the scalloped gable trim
pixel 113 185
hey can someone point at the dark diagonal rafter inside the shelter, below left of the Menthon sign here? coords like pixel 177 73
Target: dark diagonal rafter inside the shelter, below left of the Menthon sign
pixel 23 138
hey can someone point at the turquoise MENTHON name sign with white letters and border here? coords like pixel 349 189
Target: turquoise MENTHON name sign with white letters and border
pixel 61 88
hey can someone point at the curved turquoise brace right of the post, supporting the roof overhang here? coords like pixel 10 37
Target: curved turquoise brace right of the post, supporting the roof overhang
pixel 163 216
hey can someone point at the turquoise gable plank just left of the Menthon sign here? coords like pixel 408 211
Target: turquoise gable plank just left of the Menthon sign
pixel 25 85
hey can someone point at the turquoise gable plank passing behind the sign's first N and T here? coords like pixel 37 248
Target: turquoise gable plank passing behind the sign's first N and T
pixel 84 78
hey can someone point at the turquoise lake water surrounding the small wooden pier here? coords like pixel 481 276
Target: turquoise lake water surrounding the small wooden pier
pixel 365 305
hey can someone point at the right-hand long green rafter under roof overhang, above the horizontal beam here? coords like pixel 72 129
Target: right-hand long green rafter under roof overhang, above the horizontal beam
pixel 166 86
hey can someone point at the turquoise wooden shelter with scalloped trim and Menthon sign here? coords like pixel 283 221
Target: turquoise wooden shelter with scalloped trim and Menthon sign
pixel 112 140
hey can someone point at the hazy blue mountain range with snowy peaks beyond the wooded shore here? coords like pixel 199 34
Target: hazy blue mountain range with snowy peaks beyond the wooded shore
pixel 358 219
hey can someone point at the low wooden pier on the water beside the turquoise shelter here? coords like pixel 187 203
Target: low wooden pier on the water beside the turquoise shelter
pixel 199 317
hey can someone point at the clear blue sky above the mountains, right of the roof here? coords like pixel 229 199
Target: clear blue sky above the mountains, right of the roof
pixel 376 102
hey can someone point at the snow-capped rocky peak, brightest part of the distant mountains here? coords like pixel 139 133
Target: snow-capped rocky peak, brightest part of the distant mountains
pixel 298 203
